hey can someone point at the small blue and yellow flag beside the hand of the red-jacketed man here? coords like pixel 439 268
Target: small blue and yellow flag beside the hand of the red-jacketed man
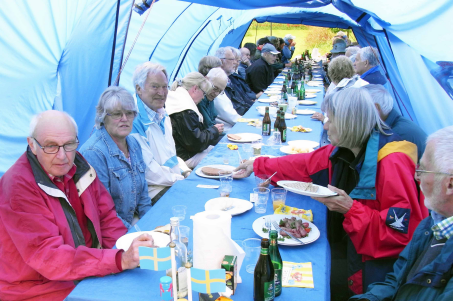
pixel 156 259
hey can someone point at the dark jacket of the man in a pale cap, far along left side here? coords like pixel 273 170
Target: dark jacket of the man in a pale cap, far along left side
pixel 260 75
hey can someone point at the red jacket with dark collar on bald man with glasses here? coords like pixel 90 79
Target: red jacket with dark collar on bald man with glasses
pixel 38 256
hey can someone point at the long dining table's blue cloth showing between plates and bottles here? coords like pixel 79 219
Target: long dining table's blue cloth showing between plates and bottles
pixel 140 284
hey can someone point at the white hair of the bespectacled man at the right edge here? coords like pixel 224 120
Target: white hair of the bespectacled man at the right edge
pixel 441 155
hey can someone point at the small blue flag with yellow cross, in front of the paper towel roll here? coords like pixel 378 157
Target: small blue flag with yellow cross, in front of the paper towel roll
pixel 208 281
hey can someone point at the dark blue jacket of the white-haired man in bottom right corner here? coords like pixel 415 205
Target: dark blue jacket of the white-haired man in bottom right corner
pixel 432 282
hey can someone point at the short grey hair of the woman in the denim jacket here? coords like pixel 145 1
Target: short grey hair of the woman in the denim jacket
pixel 109 100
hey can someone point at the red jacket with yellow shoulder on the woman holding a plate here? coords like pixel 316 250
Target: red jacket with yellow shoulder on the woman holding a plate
pixel 366 222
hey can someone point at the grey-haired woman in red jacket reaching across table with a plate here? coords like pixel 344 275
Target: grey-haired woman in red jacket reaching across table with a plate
pixel 378 205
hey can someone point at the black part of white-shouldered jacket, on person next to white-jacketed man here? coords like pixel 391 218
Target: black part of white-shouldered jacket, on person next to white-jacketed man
pixel 191 136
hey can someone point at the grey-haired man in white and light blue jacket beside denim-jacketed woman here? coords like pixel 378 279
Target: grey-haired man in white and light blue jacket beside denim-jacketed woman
pixel 152 129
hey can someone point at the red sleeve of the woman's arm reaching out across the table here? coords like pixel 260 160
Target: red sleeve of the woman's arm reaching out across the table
pixel 297 167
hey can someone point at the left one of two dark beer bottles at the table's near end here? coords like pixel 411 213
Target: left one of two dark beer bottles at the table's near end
pixel 263 277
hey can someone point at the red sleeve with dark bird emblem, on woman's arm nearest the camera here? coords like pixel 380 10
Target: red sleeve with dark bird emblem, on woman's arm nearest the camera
pixel 365 222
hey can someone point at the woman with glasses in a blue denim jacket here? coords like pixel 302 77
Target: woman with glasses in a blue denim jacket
pixel 117 157
